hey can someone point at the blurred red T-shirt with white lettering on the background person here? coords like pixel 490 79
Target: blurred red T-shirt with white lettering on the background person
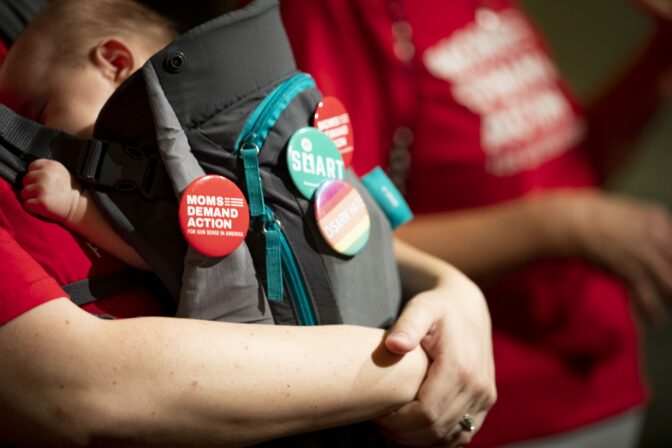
pixel 490 120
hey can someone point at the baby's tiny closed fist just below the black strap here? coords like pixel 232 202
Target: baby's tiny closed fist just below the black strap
pixel 50 191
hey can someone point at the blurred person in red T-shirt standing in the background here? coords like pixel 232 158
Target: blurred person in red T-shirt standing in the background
pixel 462 104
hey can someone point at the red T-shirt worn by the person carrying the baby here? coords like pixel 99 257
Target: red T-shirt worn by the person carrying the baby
pixel 38 256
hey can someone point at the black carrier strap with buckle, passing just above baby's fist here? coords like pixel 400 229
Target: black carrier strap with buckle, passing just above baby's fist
pixel 96 163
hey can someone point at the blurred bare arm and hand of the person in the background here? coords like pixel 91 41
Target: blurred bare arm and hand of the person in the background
pixel 631 238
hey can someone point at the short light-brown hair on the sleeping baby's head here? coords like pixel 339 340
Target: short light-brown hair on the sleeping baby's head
pixel 78 24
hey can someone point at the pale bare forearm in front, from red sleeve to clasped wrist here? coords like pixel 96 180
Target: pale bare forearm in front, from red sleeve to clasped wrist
pixel 68 377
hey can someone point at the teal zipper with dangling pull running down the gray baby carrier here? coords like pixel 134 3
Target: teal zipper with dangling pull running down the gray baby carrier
pixel 280 258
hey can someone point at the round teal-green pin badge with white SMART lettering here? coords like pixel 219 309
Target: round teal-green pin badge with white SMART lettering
pixel 312 158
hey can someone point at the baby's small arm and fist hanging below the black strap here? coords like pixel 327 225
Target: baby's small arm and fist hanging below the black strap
pixel 51 192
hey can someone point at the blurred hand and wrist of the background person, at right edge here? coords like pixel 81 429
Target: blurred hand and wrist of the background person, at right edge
pixel 631 238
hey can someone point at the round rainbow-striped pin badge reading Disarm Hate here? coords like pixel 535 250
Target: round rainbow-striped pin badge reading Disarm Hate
pixel 342 217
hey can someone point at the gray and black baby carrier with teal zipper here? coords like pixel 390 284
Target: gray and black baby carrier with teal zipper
pixel 224 99
